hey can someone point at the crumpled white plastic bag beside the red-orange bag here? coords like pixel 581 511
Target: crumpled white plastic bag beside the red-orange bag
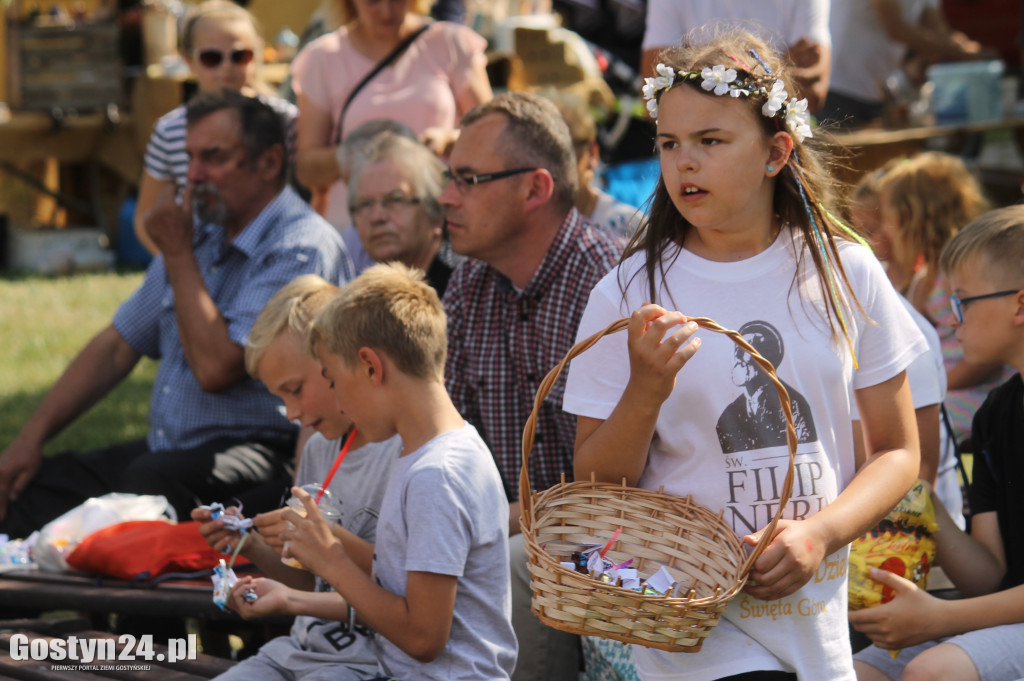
pixel 60 537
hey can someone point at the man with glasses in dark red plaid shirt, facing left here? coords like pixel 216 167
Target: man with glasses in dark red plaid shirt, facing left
pixel 514 310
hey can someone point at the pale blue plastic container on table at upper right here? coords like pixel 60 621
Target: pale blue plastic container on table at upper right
pixel 967 92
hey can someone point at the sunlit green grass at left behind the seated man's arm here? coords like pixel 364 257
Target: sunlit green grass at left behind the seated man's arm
pixel 44 325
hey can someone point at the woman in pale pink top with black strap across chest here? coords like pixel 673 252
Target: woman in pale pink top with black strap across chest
pixel 440 76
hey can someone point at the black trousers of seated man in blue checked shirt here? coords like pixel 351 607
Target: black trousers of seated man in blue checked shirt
pixel 227 471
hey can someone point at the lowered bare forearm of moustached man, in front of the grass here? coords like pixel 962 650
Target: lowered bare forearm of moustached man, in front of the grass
pixel 104 363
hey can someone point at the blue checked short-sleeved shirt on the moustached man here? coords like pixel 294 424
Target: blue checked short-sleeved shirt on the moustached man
pixel 286 240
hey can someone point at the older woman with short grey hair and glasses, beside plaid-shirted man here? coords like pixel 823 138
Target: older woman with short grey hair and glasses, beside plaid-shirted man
pixel 394 201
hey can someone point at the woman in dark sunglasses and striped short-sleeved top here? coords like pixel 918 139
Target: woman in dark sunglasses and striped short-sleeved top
pixel 222 46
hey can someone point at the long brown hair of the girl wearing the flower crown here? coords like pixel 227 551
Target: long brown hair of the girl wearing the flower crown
pixel 804 190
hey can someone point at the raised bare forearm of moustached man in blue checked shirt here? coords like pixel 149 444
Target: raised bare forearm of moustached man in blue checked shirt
pixel 218 362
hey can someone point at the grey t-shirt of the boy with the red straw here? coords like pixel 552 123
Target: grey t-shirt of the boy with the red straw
pixel 359 487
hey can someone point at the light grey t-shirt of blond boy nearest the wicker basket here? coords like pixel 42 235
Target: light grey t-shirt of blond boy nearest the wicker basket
pixel 445 513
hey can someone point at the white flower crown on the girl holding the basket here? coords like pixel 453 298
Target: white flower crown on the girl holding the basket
pixel 720 80
